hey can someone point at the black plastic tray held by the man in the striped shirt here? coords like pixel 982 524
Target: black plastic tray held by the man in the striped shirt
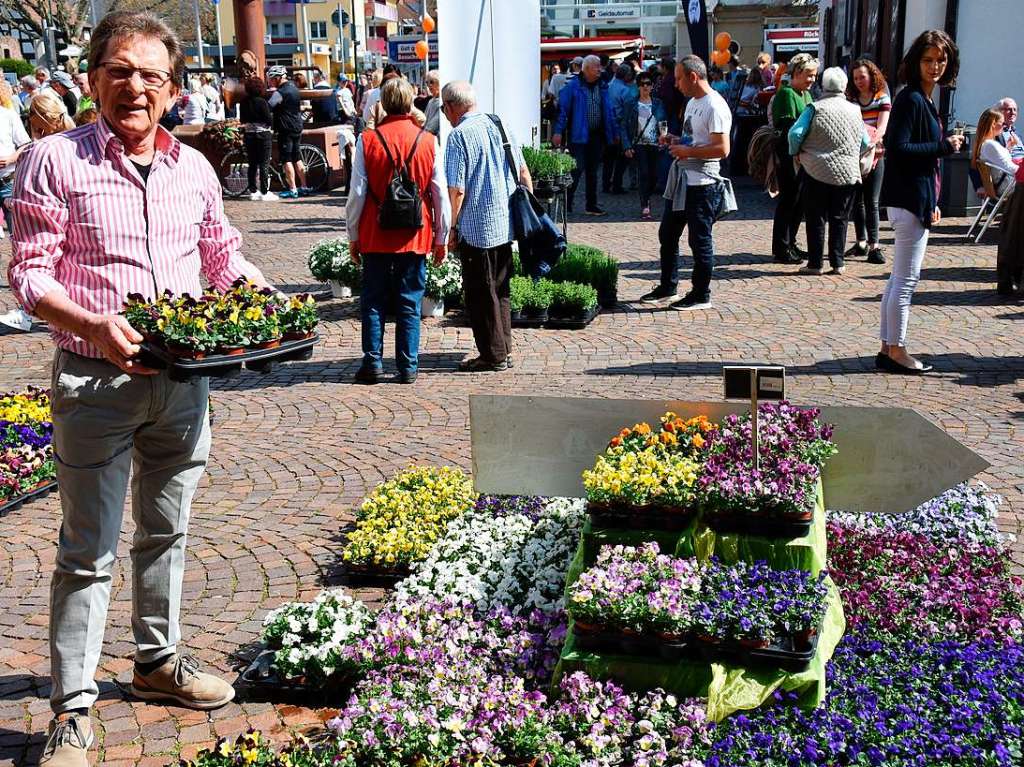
pixel 226 366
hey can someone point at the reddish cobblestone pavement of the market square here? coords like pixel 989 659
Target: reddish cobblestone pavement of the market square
pixel 296 449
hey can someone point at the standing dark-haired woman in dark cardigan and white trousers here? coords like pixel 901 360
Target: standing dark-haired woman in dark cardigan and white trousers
pixel 911 186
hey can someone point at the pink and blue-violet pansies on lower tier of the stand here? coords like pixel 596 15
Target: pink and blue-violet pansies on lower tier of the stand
pixel 637 590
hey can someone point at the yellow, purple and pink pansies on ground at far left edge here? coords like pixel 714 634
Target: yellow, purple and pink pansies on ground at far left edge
pixel 26 450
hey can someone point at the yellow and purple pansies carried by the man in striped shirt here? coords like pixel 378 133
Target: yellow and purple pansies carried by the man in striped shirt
pixel 244 318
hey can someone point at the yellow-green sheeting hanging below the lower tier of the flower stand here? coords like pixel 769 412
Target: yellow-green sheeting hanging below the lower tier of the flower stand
pixel 729 689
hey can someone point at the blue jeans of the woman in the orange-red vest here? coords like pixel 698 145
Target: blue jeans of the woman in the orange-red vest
pixel 405 277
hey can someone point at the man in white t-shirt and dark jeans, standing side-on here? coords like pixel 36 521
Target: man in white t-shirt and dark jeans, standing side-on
pixel 695 190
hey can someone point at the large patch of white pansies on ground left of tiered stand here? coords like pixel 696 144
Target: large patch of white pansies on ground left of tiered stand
pixel 499 557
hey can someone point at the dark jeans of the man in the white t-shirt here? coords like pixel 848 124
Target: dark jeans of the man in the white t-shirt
pixel 702 203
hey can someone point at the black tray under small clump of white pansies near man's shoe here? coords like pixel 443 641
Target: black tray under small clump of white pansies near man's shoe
pixel 260 683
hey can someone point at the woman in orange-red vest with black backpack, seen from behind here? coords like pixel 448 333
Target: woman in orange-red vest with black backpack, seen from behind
pixel 398 212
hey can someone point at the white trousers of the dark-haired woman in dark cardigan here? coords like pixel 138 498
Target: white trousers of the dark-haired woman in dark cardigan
pixel 909 253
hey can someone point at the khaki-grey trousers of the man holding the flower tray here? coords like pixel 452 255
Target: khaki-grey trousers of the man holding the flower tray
pixel 108 425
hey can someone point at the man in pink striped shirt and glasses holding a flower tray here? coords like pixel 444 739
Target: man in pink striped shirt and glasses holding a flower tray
pixel 103 211
